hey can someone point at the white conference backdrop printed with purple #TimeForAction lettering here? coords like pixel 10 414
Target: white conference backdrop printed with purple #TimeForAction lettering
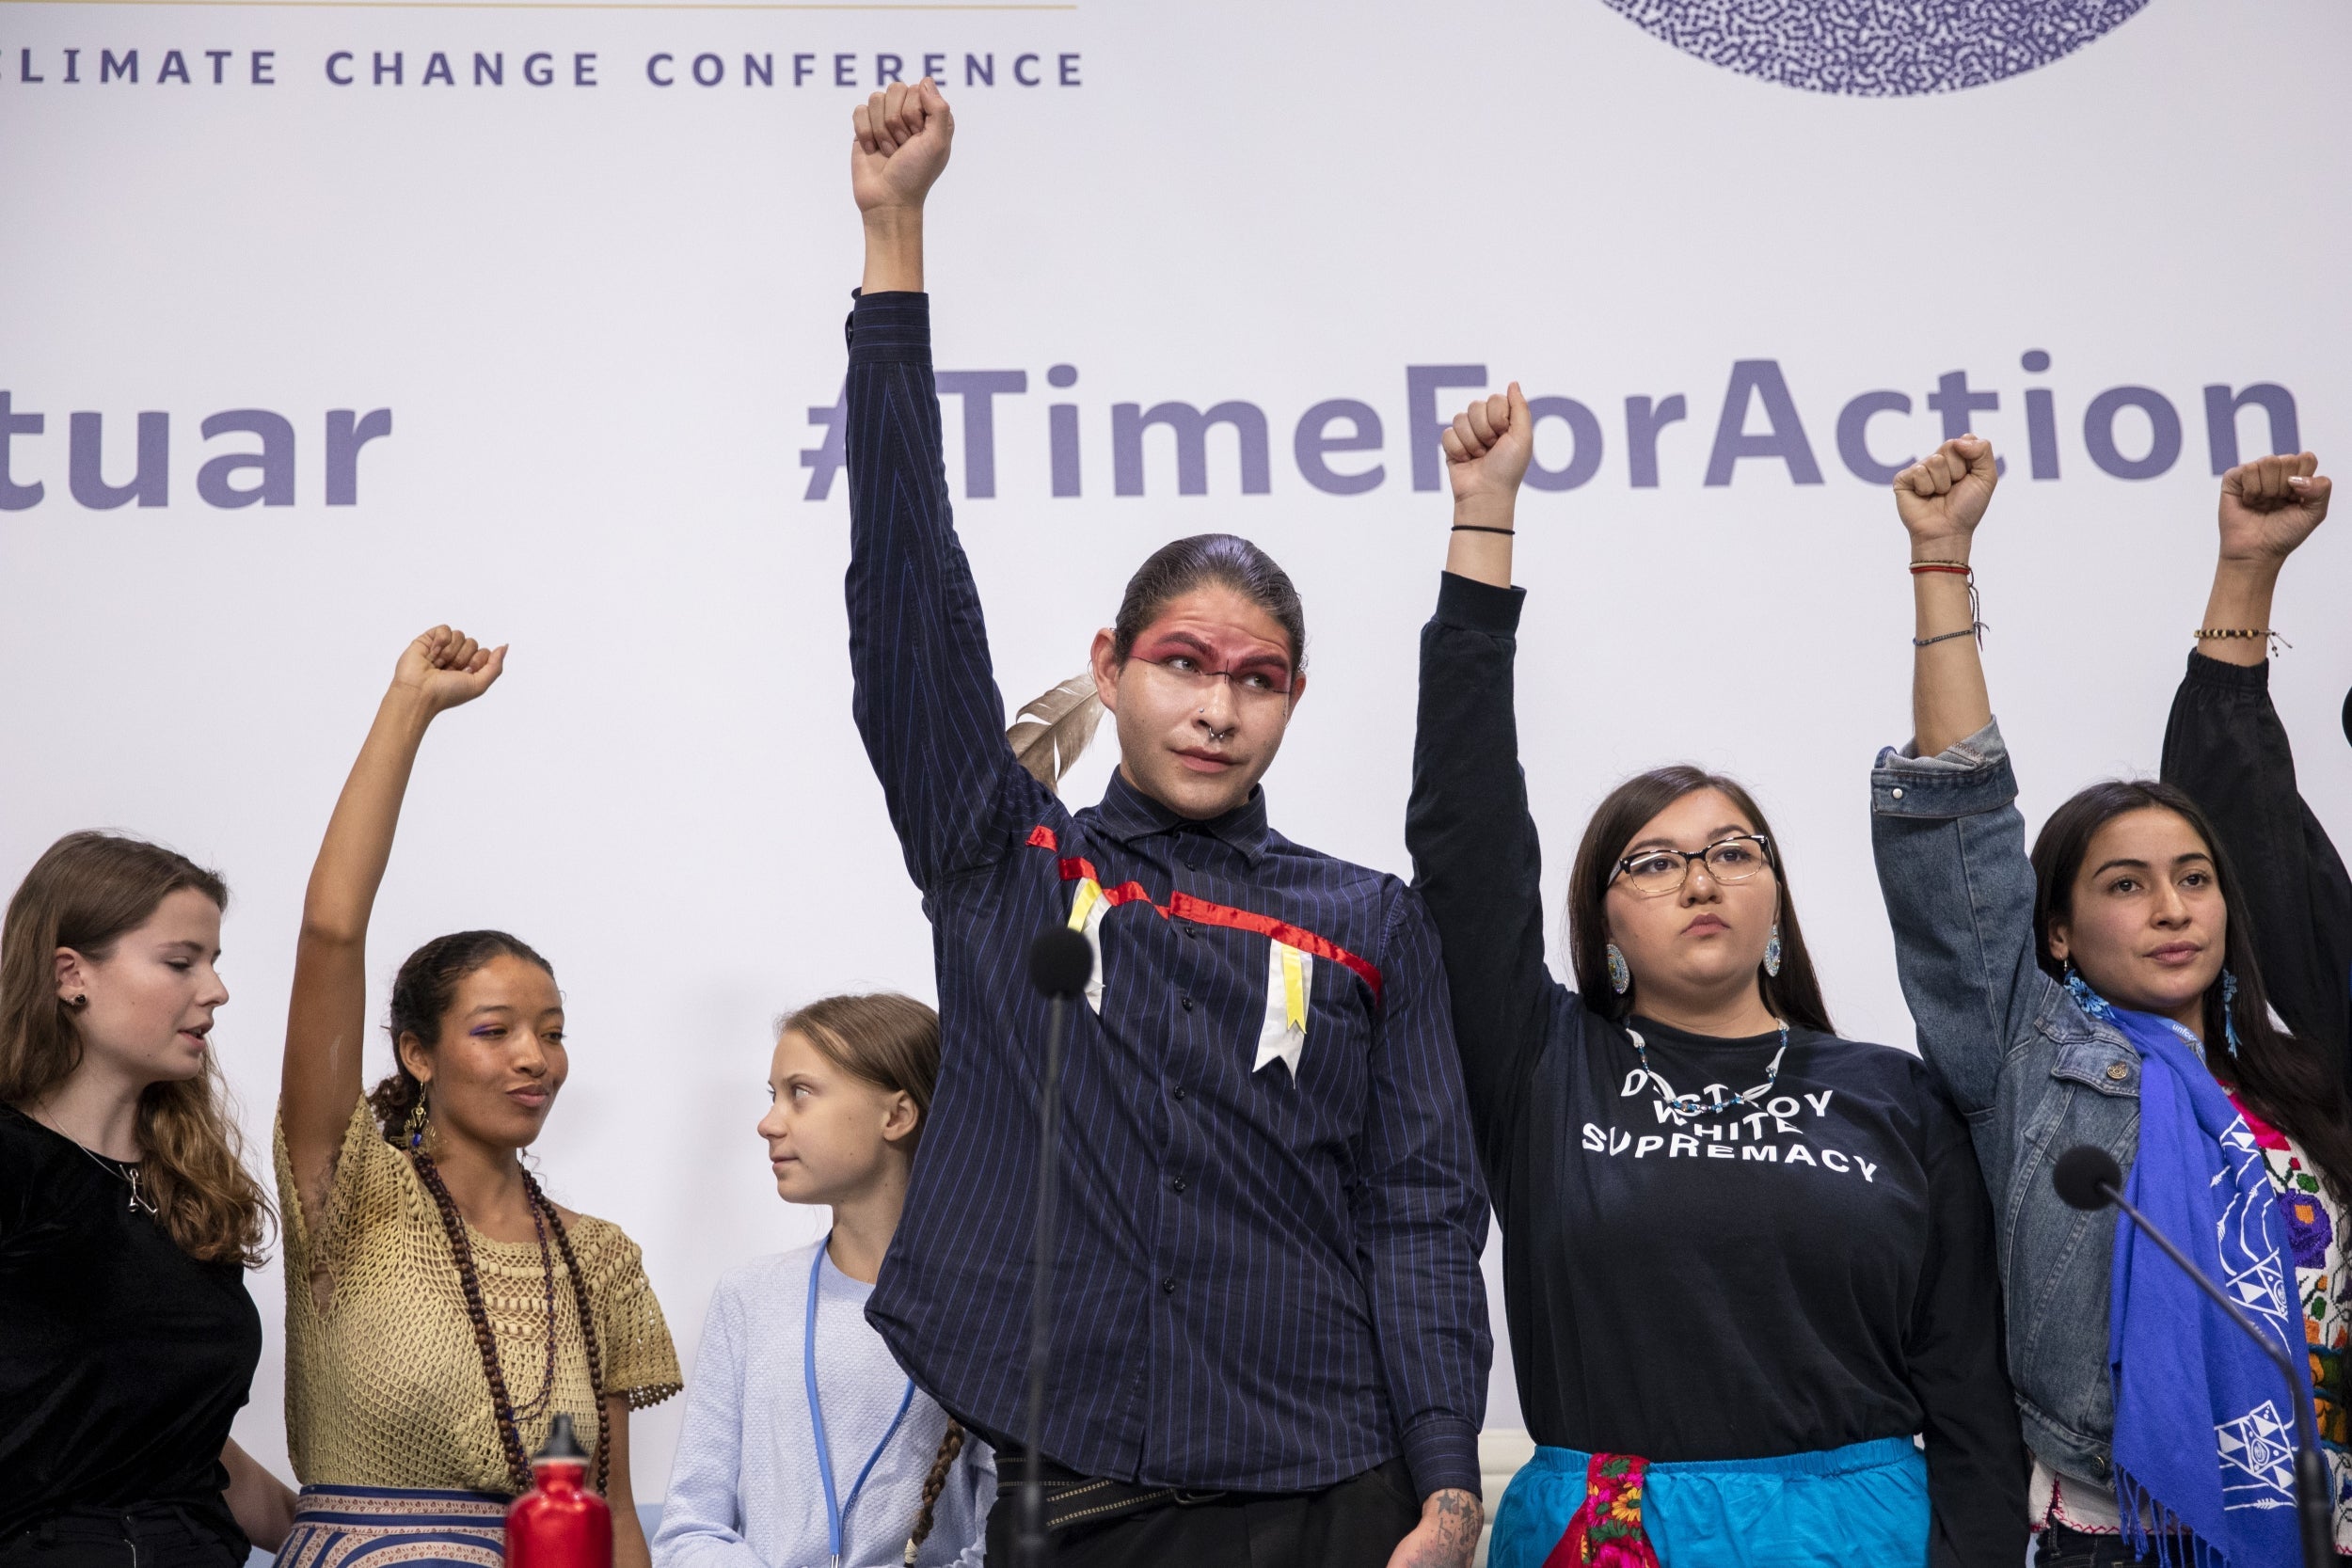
pixel 603 314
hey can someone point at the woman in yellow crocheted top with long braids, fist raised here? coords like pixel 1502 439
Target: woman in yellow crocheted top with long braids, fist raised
pixel 450 1311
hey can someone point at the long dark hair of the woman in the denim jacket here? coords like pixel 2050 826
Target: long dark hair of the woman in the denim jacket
pixel 2292 1085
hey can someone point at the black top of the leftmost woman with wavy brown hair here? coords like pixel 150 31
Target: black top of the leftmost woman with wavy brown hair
pixel 121 1358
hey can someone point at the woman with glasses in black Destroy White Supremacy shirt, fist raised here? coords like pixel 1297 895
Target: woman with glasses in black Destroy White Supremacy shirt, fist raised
pixel 1744 1261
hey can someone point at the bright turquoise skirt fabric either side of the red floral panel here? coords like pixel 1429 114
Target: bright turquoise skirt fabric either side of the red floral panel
pixel 1805 1510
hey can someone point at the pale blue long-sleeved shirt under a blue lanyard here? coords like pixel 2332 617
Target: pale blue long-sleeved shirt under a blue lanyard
pixel 744 1487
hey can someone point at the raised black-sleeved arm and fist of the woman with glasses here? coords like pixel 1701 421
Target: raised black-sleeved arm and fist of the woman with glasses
pixel 1469 829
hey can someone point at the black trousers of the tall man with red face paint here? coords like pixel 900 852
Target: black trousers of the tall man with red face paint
pixel 1354 1525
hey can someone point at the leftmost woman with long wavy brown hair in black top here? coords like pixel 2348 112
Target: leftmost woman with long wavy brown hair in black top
pixel 126 1224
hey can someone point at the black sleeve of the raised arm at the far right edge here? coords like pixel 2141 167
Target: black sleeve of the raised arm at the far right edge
pixel 2229 751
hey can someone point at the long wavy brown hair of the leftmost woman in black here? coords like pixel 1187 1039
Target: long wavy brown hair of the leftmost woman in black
pixel 86 894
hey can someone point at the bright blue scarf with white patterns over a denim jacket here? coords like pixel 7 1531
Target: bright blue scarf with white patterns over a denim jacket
pixel 2181 1369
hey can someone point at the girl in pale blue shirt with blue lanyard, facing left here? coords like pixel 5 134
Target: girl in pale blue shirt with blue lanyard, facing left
pixel 806 1442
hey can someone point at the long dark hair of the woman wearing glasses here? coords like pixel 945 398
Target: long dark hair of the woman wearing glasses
pixel 1793 993
